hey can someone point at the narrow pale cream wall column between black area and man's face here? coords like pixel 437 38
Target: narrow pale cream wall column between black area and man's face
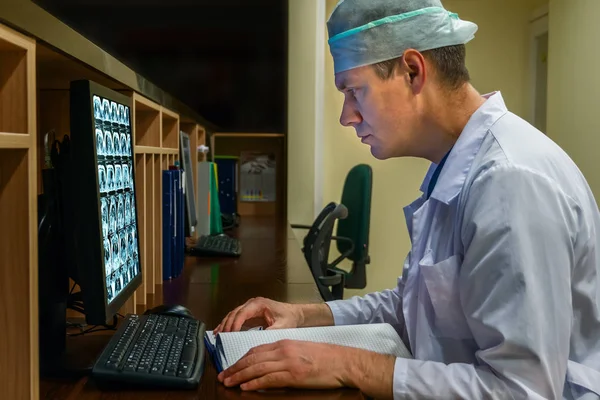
pixel 305 46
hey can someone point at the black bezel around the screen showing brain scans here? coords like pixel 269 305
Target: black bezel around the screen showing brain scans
pixel 89 218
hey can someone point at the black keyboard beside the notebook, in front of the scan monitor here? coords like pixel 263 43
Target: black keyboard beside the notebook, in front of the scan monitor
pixel 154 350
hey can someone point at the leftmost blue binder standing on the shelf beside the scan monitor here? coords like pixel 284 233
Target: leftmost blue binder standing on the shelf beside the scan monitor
pixel 168 224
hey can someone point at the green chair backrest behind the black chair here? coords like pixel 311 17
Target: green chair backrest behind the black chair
pixel 356 197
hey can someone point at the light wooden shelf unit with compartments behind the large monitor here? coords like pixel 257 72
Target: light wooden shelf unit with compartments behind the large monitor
pixel 35 99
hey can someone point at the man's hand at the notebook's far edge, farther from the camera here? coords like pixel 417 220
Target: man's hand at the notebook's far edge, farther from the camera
pixel 276 315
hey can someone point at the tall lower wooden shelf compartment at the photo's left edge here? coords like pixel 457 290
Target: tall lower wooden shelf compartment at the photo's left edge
pixel 18 276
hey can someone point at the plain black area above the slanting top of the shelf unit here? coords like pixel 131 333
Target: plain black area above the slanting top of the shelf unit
pixel 226 59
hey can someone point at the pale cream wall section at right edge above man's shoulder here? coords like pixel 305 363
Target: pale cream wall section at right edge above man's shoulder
pixel 573 83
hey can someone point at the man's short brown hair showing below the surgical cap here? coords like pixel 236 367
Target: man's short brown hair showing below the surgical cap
pixel 449 63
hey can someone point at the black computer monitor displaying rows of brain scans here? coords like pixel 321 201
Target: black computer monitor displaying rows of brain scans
pixel 105 222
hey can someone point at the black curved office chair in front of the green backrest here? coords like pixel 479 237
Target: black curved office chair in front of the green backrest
pixel 315 248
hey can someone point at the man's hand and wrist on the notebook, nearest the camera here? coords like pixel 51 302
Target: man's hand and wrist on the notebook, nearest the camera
pixel 309 365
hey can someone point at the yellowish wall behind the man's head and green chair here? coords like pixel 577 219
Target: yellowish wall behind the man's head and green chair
pixel 498 59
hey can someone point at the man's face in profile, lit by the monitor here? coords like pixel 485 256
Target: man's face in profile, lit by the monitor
pixel 384 113
